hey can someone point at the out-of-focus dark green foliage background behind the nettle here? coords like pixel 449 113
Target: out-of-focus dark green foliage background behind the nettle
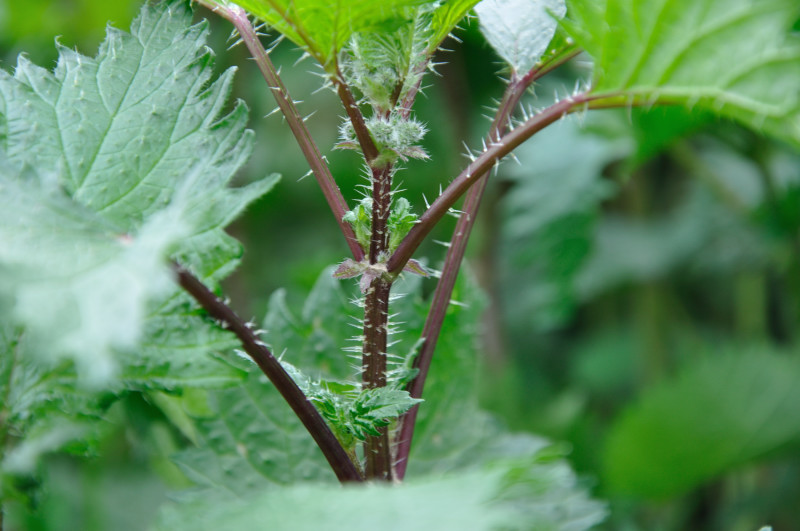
pixel 641 276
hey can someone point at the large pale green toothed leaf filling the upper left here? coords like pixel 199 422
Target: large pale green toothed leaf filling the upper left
pixel 110 165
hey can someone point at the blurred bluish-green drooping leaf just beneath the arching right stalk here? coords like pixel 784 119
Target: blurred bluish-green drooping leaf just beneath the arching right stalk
pixel 549 213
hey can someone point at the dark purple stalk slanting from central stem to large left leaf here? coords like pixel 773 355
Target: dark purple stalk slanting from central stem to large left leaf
pixel 333 451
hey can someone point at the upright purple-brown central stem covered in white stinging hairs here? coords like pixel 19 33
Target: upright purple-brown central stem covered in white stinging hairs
pixel 377 449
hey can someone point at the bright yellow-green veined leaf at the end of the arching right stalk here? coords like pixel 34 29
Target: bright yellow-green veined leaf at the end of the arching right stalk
pixel 680 52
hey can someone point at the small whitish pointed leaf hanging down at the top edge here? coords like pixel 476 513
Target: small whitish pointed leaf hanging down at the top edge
pixel 520 30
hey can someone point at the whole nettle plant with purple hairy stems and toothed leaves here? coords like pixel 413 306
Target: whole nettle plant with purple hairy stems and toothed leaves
pixel 115 175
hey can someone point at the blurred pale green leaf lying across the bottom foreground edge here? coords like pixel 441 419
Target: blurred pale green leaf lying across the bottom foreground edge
pixel 464 501
